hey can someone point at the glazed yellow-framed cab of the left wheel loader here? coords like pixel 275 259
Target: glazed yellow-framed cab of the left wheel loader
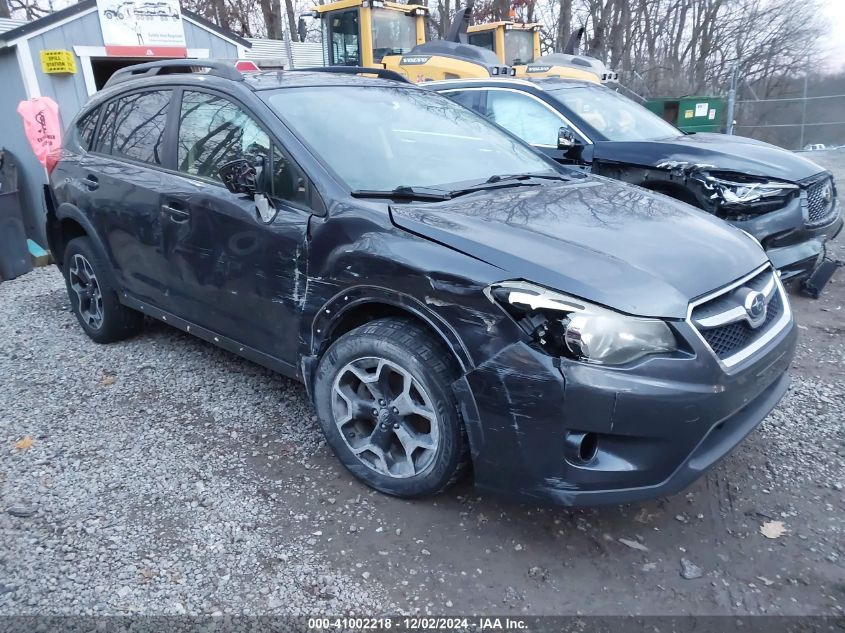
pixel 364 32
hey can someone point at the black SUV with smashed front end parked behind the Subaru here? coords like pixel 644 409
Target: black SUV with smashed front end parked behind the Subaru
pixel 785 201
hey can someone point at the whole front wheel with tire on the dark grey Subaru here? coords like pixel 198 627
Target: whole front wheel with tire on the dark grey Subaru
pixel 384 399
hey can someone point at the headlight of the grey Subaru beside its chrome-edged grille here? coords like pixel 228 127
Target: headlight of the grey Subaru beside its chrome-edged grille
pixel 571 327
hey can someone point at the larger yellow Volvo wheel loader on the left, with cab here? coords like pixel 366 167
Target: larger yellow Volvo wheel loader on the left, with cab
pixel 381 34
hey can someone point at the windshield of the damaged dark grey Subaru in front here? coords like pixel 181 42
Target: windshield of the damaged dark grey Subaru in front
pixel 381 138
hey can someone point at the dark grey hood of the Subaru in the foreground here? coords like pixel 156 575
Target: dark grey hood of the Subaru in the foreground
pixel 598 239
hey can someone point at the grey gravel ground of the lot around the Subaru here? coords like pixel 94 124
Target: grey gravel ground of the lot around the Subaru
pixel 167 476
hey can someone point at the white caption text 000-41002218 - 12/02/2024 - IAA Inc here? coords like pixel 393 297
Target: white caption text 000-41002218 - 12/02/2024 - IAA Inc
pixel 418 623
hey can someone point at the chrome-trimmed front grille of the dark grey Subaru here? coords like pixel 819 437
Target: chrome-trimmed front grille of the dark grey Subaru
pixel 725 325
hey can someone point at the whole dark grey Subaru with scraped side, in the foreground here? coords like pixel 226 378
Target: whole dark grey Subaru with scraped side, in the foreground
pixel 449 296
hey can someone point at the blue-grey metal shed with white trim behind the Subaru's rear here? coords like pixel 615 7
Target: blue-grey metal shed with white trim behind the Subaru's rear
pixel 75 34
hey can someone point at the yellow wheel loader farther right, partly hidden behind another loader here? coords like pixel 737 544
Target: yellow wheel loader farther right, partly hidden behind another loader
pixel 518 45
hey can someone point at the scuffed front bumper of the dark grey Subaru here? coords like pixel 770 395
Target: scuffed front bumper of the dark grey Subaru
pixel 658 425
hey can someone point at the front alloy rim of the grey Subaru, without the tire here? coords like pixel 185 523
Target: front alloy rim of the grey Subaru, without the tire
pixel 386 417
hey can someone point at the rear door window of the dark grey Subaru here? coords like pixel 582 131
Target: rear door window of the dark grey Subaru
pixel 133 126
